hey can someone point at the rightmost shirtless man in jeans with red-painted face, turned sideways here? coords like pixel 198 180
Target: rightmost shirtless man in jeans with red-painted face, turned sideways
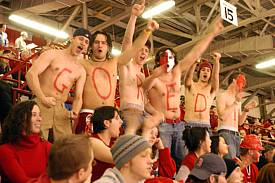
pixel 230 112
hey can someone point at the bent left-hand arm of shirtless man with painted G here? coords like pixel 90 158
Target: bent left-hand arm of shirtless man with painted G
pixel 39 66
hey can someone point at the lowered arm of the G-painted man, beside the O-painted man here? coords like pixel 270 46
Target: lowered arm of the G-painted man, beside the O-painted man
pixel 77 102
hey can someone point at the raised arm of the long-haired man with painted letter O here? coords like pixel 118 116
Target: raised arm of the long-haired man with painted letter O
pixel 130 52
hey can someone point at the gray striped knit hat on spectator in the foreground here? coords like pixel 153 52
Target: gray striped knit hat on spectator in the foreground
pixel 127 147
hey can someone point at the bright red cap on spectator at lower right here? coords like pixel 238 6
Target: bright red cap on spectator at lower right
pixel 251 142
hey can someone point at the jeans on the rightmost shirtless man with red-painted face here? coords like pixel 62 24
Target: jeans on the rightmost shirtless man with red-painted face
pixel 233 140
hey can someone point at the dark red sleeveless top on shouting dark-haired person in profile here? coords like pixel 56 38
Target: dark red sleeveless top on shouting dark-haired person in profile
pixel 100 166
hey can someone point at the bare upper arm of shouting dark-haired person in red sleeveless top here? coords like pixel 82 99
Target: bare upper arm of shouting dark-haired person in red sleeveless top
pixel 101 151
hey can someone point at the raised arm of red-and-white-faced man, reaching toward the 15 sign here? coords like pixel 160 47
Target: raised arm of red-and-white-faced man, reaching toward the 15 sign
pixel 201 46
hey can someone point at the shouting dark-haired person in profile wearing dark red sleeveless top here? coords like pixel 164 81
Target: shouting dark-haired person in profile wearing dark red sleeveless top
pixel 106 127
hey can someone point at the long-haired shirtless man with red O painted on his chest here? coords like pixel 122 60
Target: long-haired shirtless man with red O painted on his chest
pixel 99 89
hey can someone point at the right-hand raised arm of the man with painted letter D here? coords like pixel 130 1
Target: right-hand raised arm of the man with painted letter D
pixel 215 74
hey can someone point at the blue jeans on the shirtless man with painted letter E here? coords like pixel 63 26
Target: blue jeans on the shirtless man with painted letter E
pixel 171 136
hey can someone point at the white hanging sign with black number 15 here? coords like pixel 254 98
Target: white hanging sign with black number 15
pixel 229 12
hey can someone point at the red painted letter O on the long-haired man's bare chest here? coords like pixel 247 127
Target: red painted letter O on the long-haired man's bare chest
pixel 104 97
